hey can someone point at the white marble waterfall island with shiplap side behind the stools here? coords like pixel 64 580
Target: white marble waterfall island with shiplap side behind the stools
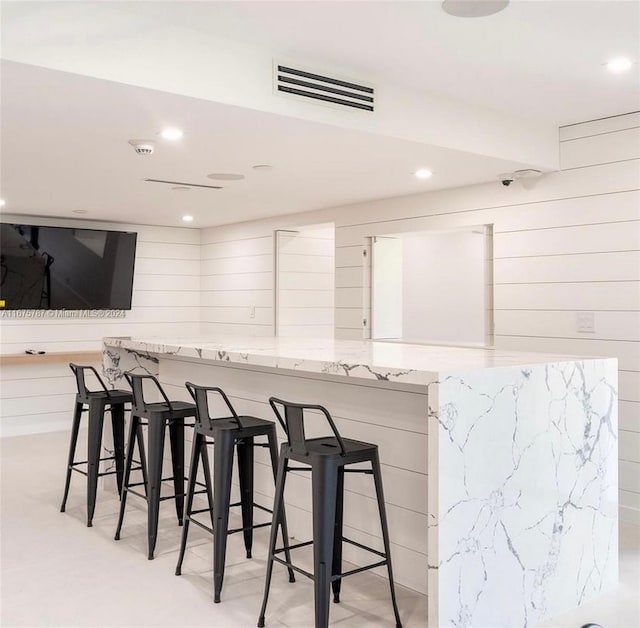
pixel 500 467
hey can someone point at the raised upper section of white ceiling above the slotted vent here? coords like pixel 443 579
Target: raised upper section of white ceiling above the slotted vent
pixel 542 59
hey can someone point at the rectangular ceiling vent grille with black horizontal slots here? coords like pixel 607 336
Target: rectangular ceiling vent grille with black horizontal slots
pixel 332 91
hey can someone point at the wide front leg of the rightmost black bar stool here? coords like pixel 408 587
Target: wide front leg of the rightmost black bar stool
pixel 324 483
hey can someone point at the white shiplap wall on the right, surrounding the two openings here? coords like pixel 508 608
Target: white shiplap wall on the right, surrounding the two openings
pixel 569 243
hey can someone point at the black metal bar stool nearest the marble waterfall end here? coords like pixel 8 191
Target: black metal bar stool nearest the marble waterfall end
pixel 326 458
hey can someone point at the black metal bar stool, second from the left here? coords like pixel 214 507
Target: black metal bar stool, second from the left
pixel 158 416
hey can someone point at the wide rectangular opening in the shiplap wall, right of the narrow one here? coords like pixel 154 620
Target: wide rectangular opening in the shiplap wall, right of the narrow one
pixel 433 287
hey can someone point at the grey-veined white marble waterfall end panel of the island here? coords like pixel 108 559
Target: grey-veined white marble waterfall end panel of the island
pixel 525 487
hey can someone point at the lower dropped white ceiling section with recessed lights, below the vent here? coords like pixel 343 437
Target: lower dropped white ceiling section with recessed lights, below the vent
pixel 65 147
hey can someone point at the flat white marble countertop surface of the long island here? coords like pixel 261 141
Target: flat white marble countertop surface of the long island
pixel 357 358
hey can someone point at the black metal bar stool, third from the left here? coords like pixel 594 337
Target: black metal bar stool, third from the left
pixel 227 434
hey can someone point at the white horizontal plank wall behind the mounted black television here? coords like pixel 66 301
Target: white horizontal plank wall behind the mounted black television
pixel 166 302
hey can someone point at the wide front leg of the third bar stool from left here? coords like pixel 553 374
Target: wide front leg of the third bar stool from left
pixel 222 472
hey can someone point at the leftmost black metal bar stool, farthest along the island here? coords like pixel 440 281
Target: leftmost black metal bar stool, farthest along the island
pixel 96 402
